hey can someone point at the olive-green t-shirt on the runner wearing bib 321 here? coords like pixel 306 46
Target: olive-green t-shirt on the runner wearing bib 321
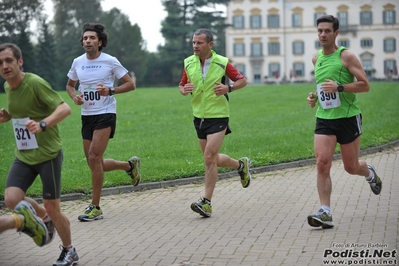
pixel 34 98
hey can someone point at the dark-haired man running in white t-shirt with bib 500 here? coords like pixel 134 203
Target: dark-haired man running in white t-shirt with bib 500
pixel 96 72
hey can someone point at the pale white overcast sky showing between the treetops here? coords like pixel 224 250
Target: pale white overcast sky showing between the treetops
pixel 148 15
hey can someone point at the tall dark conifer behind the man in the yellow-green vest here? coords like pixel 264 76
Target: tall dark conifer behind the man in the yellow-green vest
pixel 184 17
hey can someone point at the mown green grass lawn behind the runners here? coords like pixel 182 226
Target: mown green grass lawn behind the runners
pixel 270 124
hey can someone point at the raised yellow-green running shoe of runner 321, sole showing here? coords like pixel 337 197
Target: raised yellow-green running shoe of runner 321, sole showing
pixel 33 226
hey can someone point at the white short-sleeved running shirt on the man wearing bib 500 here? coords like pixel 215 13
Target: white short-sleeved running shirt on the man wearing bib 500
pixel 89 73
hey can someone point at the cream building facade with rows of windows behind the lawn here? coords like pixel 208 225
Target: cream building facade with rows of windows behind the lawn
pixel 273 41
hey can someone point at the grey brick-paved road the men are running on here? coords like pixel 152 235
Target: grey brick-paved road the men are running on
pixel 264 224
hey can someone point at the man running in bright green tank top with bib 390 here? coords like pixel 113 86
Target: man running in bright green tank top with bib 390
pixel 339 76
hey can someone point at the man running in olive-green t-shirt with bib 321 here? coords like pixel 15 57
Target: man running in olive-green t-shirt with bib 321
pixel 34 110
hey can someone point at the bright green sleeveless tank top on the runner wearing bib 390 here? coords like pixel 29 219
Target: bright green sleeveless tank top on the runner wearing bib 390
pixel 330 67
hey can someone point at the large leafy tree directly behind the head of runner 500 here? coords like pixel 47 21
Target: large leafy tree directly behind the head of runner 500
pixel 125 41
